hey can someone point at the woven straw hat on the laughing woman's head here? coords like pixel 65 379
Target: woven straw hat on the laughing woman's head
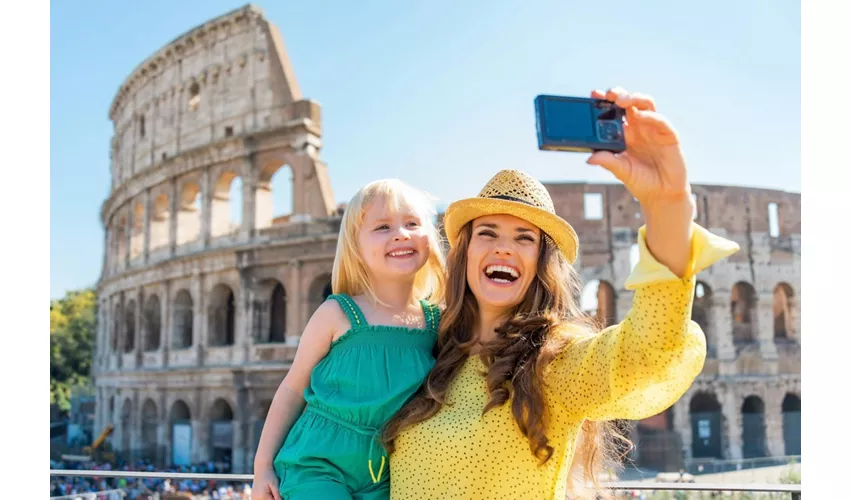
pixel 513 192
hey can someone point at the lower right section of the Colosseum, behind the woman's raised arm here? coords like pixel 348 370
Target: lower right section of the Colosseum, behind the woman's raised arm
pixel 748 394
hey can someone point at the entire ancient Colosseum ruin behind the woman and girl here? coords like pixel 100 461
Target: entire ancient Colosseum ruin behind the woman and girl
pixel 200 310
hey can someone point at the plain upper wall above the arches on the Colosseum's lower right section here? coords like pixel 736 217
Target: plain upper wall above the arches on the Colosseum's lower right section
pixel 738 213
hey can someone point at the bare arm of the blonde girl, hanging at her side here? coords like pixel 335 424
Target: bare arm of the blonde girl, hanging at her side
pixel 288 402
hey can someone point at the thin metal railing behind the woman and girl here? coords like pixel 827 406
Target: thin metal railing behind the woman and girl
pixel 793 490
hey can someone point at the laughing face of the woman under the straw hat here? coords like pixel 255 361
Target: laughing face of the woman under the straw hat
pixel 501 261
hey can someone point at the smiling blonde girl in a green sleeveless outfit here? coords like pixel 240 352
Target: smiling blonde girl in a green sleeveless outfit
pixel 362 355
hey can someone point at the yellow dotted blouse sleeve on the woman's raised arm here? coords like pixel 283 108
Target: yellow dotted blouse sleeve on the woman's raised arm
pixel 641 366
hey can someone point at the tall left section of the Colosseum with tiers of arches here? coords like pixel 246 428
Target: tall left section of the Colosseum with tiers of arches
pixel 199 317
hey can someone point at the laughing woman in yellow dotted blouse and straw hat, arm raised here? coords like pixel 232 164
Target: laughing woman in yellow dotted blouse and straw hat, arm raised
pixel 516 403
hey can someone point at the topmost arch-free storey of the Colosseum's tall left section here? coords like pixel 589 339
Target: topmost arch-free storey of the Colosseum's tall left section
pixel 228 77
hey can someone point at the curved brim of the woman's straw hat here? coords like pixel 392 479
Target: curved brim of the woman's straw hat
pixel 463 211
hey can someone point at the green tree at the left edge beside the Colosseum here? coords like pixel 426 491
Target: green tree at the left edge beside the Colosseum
pixel 72 335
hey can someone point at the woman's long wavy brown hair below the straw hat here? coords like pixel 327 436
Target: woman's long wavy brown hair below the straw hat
pixel 525 344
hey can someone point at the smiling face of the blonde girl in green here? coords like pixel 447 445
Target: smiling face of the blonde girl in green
pixel 393 244
